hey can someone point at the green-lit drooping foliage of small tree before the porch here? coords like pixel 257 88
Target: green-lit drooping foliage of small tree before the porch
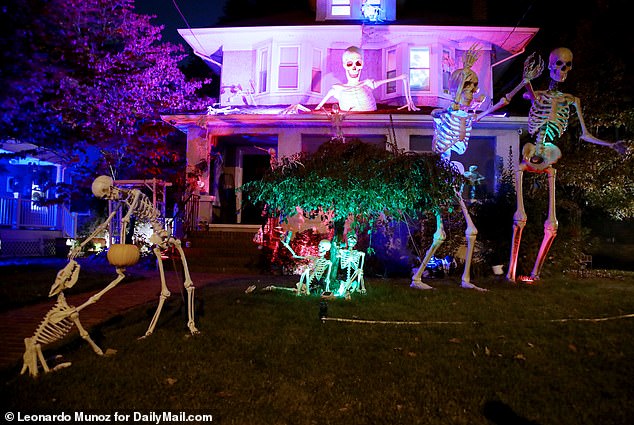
pixel 359 180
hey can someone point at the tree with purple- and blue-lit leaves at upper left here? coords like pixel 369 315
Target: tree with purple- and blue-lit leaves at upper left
pixel 87 79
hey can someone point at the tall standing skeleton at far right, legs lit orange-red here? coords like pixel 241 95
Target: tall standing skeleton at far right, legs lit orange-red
pixel 547 120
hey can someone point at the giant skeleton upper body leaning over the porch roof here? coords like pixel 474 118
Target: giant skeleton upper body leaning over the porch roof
pixel 356 95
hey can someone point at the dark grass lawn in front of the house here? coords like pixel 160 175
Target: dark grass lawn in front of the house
pixel 501 357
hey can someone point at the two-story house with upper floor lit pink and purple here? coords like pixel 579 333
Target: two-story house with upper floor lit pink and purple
pixel 264 69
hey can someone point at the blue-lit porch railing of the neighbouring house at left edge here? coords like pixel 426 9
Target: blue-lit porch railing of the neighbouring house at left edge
pixel 19 213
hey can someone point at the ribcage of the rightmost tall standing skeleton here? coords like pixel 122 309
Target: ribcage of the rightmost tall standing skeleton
pixel 548 117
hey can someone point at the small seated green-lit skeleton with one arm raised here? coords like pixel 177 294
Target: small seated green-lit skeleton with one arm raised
pixel 317 269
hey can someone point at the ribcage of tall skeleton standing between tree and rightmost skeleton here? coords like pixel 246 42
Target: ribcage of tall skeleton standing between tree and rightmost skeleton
pixel 452 130
